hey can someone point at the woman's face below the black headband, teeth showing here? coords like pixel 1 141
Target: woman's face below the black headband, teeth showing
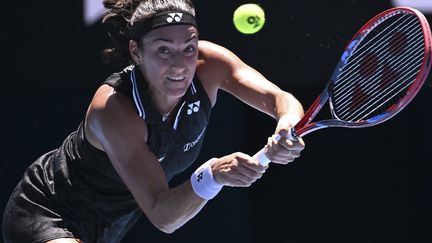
pixel 169 59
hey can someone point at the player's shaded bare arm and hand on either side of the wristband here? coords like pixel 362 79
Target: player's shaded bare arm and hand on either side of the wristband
pixel 113 126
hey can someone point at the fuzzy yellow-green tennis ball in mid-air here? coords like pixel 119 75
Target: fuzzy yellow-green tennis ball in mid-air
pixel 249 18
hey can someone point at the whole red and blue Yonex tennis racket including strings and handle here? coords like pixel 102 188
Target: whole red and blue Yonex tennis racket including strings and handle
pixel 381 70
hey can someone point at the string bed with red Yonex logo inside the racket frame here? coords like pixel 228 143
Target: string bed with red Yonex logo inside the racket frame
pixel 371 82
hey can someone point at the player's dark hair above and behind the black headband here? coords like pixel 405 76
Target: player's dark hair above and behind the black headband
pixel 121 14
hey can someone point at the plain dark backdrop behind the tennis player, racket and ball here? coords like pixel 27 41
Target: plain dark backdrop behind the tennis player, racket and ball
pixel 349 185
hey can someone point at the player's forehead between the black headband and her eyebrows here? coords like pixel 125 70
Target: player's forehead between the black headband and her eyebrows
pixel 173 33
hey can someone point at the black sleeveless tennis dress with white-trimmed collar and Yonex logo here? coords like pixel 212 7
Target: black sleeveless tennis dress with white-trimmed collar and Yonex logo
pixel 75 192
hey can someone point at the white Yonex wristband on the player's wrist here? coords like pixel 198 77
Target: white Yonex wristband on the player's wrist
pixel 203 182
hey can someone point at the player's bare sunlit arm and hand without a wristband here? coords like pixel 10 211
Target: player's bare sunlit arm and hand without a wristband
pixel 218 68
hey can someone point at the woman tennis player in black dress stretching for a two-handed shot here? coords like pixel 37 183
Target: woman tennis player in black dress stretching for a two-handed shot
pixel 144 125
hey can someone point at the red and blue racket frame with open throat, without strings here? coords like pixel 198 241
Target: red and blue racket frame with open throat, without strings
pixel 306 126
